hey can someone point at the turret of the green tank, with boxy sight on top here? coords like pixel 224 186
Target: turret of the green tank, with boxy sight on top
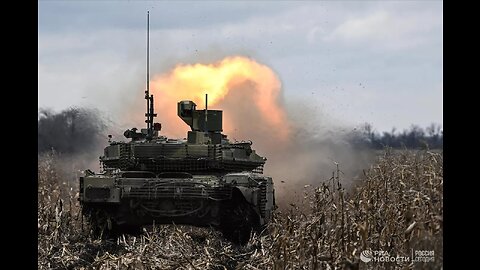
pixel 206 149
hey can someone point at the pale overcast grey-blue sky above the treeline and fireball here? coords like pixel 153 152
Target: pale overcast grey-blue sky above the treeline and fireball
pixel 354 61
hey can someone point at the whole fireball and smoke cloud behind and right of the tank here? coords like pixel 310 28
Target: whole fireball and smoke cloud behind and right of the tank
pixel 302 147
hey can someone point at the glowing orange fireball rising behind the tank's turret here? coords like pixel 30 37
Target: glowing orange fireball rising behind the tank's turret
pixel 246 90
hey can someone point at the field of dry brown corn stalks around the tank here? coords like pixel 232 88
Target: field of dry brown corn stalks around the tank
pixel 396 207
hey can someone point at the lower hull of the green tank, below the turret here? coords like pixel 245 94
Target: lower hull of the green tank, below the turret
pixel 234 203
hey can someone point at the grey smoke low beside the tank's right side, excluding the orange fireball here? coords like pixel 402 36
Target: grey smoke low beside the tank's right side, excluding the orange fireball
pixel 312 156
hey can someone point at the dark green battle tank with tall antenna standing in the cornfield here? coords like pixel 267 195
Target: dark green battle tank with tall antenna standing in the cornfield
pixel 203 180
